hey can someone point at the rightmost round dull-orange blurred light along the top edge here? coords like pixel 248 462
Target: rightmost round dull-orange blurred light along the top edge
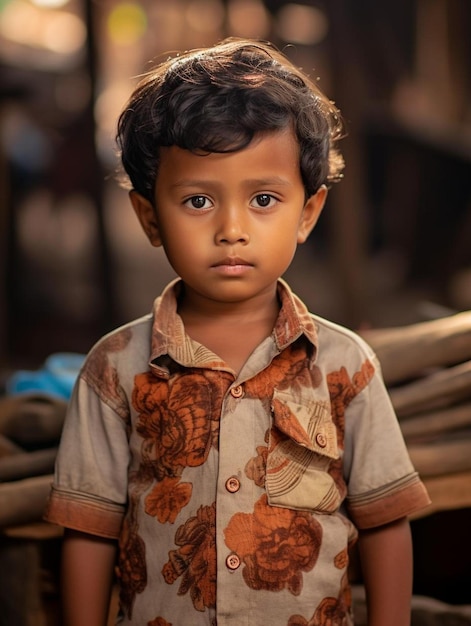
pixel 301 24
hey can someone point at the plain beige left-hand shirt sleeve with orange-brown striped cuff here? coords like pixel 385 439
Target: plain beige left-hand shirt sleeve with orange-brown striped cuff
pixel 89 490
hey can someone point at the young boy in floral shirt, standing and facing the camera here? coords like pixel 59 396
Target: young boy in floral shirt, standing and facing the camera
pixel 235 444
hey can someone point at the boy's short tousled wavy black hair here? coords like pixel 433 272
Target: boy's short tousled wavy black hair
pixel 216 100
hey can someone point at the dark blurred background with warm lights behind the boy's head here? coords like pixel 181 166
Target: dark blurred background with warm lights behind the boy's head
pixel 393 245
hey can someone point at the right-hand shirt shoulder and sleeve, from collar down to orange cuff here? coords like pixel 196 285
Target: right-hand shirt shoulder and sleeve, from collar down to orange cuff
pixel 382 483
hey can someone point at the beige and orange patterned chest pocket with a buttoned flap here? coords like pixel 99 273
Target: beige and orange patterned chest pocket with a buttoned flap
pixel 302 446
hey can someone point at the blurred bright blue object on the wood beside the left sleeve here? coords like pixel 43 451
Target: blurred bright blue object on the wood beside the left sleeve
pixel 57 376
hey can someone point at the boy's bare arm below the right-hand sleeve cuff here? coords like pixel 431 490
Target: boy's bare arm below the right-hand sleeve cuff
pixel 386 560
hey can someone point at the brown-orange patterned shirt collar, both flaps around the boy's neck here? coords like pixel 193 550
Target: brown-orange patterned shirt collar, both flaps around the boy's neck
pixel 169 341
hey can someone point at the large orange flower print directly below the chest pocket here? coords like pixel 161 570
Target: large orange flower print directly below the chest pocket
pixel 276 545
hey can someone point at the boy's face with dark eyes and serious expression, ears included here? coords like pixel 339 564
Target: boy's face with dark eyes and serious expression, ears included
pixel 230 223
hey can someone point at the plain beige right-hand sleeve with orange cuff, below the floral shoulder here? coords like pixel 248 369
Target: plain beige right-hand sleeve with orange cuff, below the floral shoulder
pixel 383 485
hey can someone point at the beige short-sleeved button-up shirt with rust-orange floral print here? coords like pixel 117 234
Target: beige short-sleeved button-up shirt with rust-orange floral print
pixel 235 499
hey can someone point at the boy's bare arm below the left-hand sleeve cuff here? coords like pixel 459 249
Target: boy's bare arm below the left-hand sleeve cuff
pixel 87 576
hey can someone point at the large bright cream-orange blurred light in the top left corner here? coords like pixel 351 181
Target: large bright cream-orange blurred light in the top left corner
pixel 54 30
